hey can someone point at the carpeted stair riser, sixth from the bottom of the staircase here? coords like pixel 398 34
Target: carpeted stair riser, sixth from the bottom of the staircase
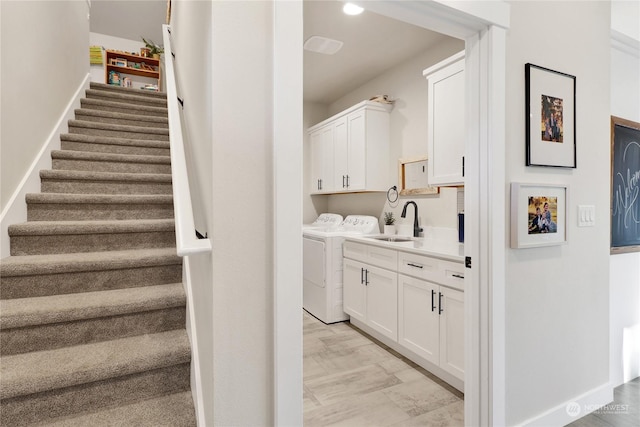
pixel 104 187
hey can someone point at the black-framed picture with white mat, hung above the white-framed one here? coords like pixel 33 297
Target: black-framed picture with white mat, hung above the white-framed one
pixel 550 101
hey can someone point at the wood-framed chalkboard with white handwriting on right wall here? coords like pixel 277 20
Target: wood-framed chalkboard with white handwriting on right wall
pixel 625 186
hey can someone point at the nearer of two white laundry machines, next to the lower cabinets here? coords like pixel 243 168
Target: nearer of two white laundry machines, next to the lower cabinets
pixel 322 265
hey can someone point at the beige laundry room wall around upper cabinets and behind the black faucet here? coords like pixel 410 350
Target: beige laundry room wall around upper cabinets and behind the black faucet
pixel 408 130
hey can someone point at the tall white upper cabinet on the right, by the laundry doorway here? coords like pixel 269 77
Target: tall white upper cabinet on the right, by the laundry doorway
pixel 446 121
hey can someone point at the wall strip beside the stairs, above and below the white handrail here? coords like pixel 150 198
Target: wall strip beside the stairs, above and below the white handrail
pixel 191 29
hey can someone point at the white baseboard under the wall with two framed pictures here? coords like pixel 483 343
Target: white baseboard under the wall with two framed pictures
pixel 569 411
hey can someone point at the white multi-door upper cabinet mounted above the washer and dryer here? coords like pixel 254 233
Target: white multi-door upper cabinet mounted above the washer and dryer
pixel 354 152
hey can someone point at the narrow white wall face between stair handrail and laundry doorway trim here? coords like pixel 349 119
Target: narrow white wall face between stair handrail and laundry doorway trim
pixel 242 217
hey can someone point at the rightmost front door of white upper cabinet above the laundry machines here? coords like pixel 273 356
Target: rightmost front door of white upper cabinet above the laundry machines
pixel 357 155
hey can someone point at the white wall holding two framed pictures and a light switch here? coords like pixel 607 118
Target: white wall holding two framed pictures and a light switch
pixel 557 298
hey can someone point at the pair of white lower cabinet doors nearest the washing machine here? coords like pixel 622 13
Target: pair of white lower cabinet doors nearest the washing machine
pixel 371 295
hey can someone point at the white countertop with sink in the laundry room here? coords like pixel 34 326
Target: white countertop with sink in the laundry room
pixel 450 250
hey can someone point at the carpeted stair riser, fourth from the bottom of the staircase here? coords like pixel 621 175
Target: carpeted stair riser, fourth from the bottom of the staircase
pixel 52 244
